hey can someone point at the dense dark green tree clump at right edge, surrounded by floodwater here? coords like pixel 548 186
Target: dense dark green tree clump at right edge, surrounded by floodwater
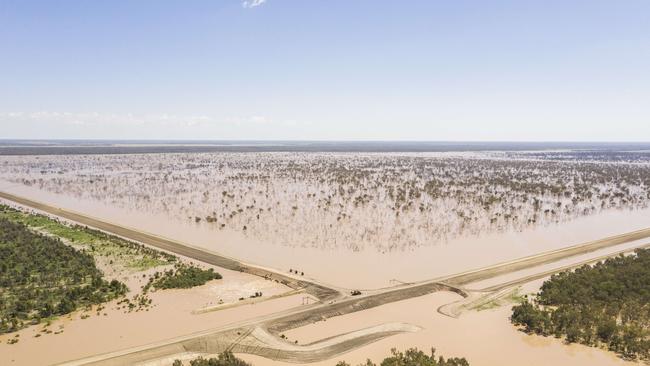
pixel 606 305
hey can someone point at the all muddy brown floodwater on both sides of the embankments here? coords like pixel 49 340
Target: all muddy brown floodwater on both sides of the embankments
pixel 392 230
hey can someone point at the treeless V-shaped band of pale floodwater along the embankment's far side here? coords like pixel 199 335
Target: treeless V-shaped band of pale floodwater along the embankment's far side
pixel 366 269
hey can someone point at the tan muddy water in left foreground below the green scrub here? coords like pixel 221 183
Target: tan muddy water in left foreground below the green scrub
pixel 172 315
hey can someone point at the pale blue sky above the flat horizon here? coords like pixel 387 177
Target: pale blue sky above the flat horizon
pixel 554 70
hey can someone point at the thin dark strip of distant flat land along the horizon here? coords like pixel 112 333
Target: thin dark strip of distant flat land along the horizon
pixel 75 147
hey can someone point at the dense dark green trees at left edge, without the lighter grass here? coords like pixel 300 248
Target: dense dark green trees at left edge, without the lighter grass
pixel 41 277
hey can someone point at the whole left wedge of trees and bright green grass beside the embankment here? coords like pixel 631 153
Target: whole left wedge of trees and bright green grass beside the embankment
pixel 48 268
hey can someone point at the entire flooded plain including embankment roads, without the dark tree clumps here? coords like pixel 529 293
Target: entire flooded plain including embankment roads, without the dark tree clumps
pixel 397 234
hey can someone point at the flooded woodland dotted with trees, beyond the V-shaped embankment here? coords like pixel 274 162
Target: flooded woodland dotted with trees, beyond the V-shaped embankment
pixel 379 217
